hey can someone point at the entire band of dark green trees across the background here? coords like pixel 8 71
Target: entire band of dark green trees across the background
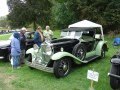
pixel 61 13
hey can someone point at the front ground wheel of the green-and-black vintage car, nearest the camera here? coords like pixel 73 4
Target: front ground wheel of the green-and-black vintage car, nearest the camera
pixel 62 67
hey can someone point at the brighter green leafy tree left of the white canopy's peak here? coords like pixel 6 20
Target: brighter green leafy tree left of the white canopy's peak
pixel 62 16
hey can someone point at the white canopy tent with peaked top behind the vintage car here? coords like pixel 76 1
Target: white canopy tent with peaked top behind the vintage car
pixel 86 23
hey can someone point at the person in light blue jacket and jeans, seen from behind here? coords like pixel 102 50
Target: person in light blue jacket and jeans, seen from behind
pixel 15 49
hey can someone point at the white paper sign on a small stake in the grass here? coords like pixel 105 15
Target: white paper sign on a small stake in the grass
pixel 92 75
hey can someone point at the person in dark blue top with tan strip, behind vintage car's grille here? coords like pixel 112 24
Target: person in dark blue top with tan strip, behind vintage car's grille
pixel 38 36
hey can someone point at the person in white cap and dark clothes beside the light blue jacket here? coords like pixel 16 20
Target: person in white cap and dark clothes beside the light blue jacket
pixel 22 45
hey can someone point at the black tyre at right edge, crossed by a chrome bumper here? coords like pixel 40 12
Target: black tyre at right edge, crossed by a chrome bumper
pixel 114 82
